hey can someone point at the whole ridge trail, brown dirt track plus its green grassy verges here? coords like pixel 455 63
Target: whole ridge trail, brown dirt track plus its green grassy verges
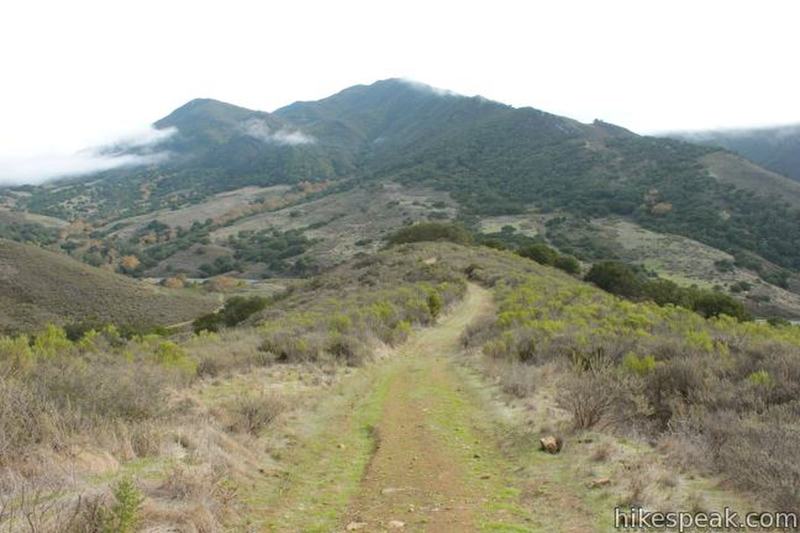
pixel 409 445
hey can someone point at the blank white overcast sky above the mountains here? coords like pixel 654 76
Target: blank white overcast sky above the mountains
pixel 83 72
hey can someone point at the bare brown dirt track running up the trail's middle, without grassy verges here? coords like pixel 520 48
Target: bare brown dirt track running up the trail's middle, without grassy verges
pixel 416 477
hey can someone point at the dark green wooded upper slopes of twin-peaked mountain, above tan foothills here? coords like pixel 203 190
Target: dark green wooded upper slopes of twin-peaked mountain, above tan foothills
pixel 492 159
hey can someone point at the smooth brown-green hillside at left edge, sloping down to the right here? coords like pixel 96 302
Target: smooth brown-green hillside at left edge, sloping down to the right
pixel 38 286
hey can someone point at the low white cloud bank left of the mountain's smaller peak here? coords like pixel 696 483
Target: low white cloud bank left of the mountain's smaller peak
pixel 133 149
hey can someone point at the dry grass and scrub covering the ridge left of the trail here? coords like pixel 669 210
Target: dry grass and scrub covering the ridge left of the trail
pixel 77 416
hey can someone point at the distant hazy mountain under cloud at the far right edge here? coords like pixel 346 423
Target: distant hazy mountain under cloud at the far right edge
pixel 776 149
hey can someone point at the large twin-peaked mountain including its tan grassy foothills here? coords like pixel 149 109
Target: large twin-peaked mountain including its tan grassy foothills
pixel 312 183
